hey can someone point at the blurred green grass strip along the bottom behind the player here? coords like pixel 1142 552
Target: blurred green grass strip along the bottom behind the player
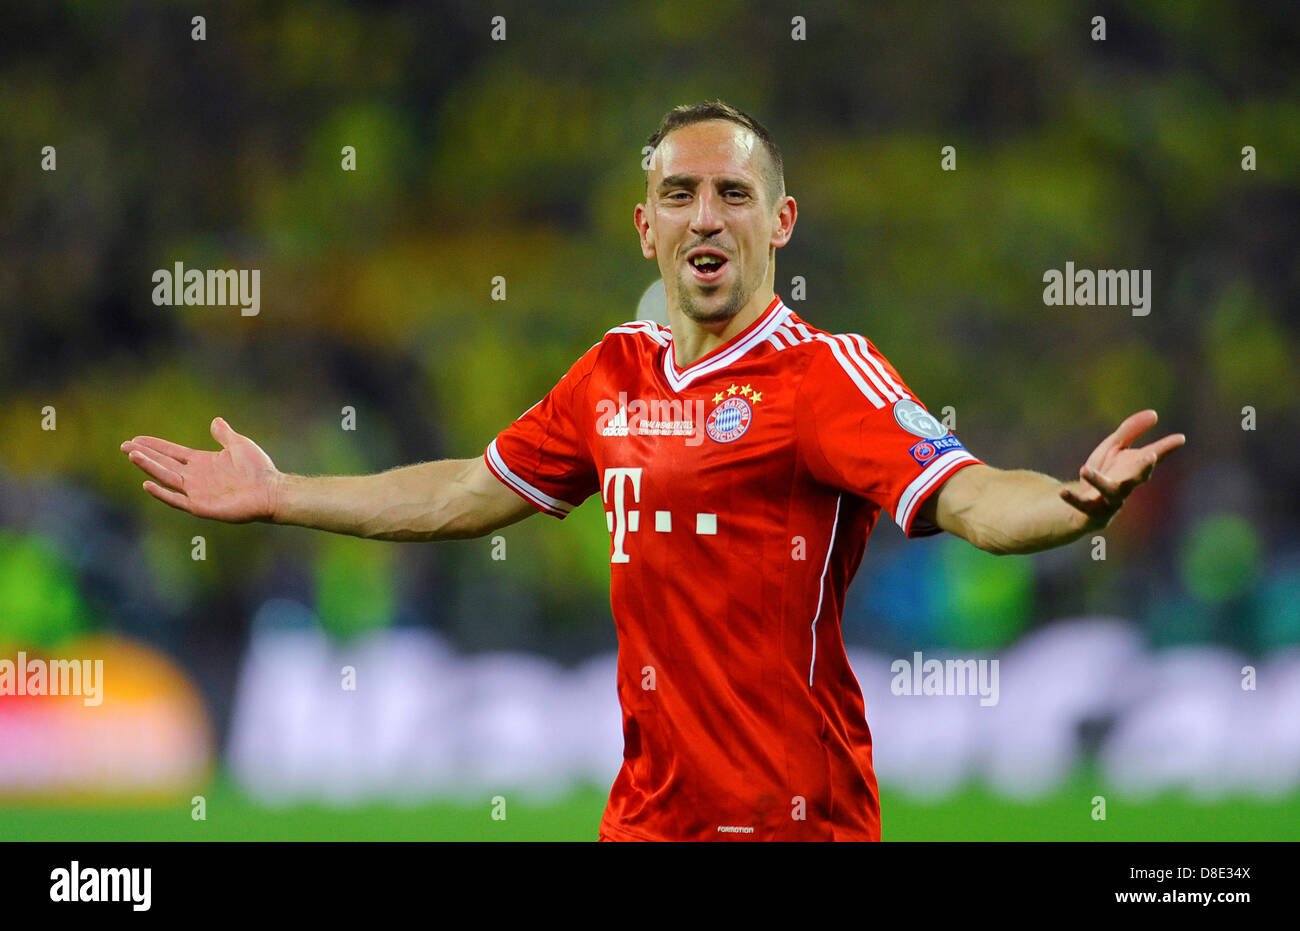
pixel 973 815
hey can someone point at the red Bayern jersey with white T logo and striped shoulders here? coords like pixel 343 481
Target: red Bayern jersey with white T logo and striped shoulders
pixel 739 495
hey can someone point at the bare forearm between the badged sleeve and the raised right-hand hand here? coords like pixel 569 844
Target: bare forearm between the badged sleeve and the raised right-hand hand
pixel 1017 512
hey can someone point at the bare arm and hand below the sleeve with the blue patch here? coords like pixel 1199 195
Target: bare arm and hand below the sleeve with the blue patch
pixel 1021 512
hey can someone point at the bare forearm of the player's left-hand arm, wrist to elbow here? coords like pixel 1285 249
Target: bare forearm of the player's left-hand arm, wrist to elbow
pixel 409 504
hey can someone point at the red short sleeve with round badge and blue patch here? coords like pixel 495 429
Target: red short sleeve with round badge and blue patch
pixel 864 431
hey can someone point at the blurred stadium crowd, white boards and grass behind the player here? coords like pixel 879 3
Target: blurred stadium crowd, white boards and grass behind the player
pixel 480 678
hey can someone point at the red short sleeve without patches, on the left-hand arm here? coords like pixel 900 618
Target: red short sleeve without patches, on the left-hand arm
pixel 545 457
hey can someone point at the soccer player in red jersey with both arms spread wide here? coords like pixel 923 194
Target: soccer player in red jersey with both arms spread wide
pixel 743 457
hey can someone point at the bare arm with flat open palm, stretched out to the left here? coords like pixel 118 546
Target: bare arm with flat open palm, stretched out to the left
pixel 448 500
